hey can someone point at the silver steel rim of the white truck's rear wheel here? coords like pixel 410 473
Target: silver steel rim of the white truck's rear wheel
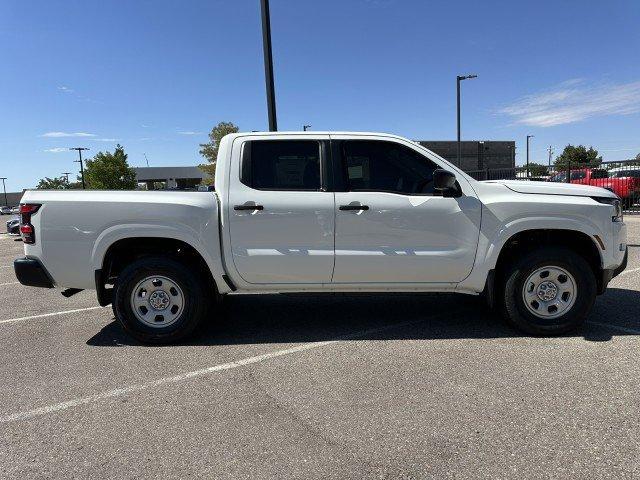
pixel 157 301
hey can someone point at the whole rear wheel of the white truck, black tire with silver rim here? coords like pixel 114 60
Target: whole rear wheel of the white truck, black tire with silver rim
pixel 158 300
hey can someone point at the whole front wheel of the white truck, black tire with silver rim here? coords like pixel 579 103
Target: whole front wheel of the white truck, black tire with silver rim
pixel 549 291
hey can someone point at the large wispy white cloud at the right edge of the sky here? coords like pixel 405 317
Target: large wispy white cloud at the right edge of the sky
pixel 574 101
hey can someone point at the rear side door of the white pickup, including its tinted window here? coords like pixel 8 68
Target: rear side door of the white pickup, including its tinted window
pixel 281 218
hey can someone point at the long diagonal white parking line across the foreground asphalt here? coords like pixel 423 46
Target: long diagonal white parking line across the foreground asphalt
pixel 118 392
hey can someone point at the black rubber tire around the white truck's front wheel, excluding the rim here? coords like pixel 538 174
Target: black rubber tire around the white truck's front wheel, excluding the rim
pixel 513 303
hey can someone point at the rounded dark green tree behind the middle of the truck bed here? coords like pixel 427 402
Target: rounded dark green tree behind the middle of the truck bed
pixel 110 171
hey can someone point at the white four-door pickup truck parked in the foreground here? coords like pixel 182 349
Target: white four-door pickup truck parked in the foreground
pixel 327 212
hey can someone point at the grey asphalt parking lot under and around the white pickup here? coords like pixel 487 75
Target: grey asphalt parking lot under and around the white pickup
pixel 335 386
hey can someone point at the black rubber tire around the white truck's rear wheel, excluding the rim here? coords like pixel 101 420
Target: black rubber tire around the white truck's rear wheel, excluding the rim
pixel 193 289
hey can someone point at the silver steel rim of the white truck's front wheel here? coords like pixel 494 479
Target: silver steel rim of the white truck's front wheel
pixel 549 292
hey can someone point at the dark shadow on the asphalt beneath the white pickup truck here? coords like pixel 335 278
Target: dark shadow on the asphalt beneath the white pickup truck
pixel 256 319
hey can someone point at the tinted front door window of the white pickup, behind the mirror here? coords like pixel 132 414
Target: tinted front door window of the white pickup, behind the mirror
pixel 371 165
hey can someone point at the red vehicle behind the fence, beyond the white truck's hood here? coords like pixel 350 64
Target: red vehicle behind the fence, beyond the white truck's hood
pixel 626 187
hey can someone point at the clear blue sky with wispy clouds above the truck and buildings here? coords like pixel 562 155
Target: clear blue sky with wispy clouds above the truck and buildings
pixel 155 76
